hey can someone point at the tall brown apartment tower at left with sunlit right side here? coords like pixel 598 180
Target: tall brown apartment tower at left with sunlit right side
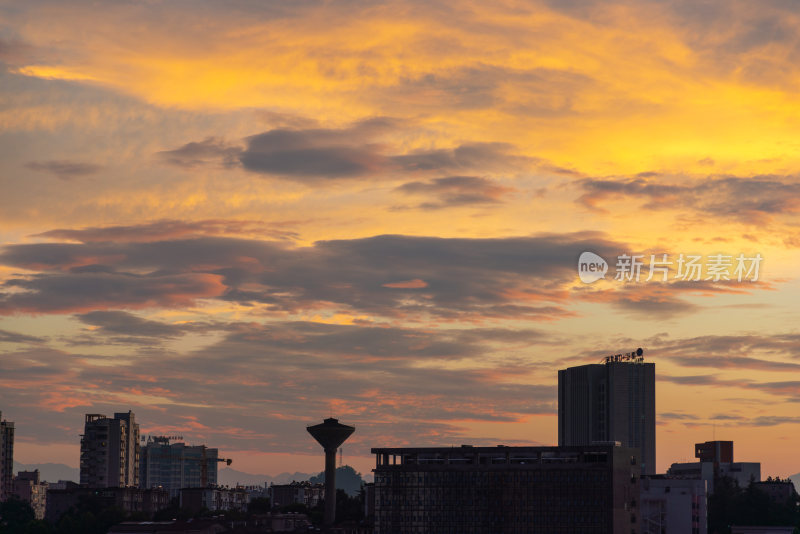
pixel 110 451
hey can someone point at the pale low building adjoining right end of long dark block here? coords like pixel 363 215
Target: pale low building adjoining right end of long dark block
pixel 671 505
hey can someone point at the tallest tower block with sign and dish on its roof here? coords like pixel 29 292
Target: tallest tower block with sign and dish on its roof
pixel 612 401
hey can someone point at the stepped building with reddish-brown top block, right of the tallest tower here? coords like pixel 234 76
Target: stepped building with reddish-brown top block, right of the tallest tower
pixel 715 465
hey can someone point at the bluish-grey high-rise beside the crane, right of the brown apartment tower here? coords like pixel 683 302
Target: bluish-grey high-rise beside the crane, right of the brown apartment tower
pixel 174 466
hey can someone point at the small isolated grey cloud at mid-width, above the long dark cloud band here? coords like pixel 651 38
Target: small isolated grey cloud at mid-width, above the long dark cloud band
pixel 454 191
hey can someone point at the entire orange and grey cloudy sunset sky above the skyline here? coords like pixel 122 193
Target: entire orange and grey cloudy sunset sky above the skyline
pixel 238 218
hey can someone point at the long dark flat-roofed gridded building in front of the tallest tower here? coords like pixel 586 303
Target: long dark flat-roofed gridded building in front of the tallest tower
pixel 485 490
